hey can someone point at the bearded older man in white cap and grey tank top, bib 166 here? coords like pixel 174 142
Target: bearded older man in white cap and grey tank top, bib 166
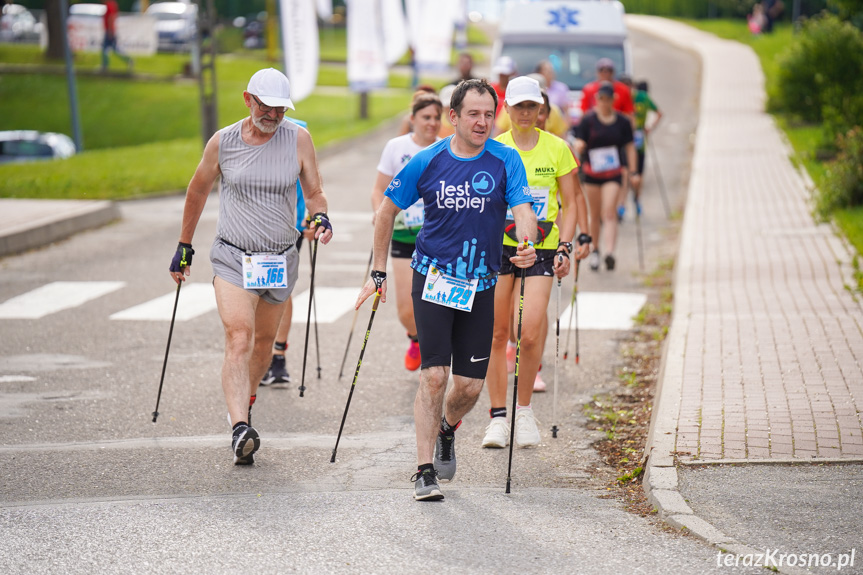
pixel 258 161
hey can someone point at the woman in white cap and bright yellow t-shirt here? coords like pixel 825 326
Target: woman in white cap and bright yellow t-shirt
pixel 550 169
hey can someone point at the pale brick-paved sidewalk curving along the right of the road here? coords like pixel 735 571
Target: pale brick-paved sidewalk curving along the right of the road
pixel 765 352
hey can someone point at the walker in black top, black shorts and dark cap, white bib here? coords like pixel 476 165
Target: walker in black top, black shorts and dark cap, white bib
pixel 600 137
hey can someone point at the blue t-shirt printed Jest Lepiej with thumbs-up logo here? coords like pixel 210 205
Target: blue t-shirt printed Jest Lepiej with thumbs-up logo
pixel 465 207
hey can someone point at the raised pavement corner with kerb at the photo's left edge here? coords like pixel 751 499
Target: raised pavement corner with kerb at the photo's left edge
pixel 44 223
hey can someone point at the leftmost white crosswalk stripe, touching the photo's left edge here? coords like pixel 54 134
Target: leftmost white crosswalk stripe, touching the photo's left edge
pixel 54 297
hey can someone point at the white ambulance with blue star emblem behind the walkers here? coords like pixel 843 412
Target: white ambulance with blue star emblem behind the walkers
pixel 571 34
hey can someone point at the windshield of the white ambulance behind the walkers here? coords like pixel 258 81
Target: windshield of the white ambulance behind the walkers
pixel 575 65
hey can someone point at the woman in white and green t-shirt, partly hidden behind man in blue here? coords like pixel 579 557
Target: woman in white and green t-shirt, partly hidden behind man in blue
pixel 425 118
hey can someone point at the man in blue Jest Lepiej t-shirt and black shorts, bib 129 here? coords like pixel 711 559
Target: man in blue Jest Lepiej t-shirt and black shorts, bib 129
pixel 466 182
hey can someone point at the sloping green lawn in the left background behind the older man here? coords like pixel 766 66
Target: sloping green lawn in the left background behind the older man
pixel 142 136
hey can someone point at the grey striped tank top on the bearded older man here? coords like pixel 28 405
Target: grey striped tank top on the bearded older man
pixel 257 193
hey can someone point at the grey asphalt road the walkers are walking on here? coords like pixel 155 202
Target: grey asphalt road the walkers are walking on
pixel 89 484
